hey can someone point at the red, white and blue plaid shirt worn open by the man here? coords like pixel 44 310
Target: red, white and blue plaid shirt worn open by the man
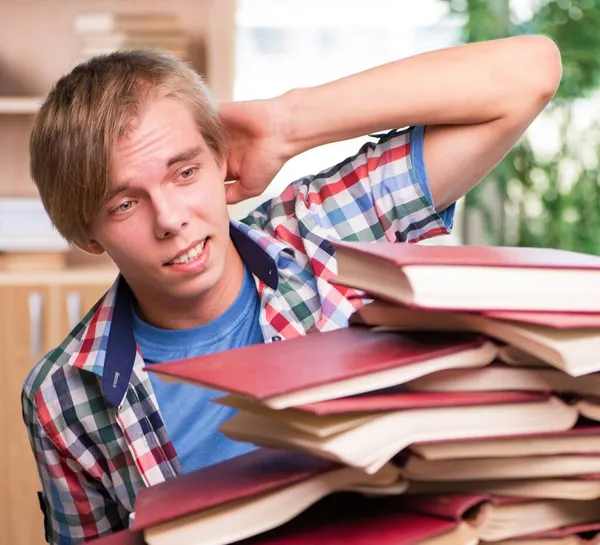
pixel 92 417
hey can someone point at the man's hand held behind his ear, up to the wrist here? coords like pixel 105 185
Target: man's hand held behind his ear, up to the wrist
pixel 257 146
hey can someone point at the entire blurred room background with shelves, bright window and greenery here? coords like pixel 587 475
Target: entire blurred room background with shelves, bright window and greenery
pixel 545 193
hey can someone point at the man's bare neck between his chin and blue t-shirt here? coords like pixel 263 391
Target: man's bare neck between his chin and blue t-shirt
pixel 189 313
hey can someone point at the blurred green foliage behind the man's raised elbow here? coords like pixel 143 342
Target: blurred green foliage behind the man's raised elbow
pixel 554 201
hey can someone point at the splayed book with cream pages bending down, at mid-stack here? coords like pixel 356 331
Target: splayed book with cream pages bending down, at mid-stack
pixel 370 442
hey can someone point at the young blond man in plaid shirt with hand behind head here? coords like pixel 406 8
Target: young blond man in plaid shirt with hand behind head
pixel 130 157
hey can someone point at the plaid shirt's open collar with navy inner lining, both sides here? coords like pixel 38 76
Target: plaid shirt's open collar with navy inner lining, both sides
pixel 109 342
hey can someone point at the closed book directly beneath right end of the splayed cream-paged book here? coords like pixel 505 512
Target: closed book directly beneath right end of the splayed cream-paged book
pixel 578 440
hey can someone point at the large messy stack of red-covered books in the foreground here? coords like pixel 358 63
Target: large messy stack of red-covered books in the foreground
pixel 461 406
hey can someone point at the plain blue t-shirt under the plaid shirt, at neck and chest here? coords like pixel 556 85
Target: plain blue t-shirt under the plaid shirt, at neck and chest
pixel 191 418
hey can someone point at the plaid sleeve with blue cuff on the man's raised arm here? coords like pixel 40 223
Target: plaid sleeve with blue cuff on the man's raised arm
pixel 380 194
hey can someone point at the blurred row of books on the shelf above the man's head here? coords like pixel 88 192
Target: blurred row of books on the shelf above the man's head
pixel 105 32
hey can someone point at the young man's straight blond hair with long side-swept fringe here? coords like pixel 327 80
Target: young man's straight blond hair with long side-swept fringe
pixel 76 130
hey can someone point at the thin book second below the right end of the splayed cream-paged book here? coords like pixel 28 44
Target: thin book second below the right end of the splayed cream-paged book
pixel 415 468
